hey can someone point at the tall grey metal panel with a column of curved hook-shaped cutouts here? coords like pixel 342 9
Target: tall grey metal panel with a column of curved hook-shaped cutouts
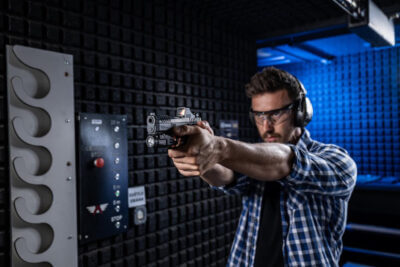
pixel 42 157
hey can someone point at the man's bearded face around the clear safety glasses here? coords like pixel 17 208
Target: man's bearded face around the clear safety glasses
pixel 283 130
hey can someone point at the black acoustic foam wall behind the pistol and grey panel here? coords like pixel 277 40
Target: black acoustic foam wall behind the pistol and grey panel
pixel 135 57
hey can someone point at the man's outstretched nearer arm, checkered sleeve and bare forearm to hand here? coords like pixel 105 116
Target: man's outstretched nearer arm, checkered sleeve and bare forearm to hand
pixel 328 169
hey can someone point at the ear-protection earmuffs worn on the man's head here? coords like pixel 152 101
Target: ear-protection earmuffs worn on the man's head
pixel 303 110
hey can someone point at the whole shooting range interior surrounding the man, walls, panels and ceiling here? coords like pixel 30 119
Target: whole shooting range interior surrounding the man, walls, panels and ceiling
pixel 79 185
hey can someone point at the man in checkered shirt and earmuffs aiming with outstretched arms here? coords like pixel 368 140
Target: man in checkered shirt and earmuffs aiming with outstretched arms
pixel 295 190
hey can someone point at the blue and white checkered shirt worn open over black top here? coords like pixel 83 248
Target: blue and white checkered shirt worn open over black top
pixel 313 202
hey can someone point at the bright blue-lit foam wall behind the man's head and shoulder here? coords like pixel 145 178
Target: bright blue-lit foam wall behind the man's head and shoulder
pixel 356 105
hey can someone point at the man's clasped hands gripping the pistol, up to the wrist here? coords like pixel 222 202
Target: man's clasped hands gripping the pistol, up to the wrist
pixel 200 153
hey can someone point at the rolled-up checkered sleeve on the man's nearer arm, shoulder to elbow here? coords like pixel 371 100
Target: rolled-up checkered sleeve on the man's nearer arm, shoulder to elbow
pixel 327 170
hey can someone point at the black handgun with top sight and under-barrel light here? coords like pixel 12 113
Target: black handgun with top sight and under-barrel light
pixel 159 127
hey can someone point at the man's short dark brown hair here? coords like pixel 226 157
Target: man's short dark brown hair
pixel 271 79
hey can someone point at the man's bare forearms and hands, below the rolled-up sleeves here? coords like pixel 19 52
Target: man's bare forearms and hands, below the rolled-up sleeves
pixel 214 158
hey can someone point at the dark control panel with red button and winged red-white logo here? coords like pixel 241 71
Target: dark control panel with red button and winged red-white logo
pixel 103 176
